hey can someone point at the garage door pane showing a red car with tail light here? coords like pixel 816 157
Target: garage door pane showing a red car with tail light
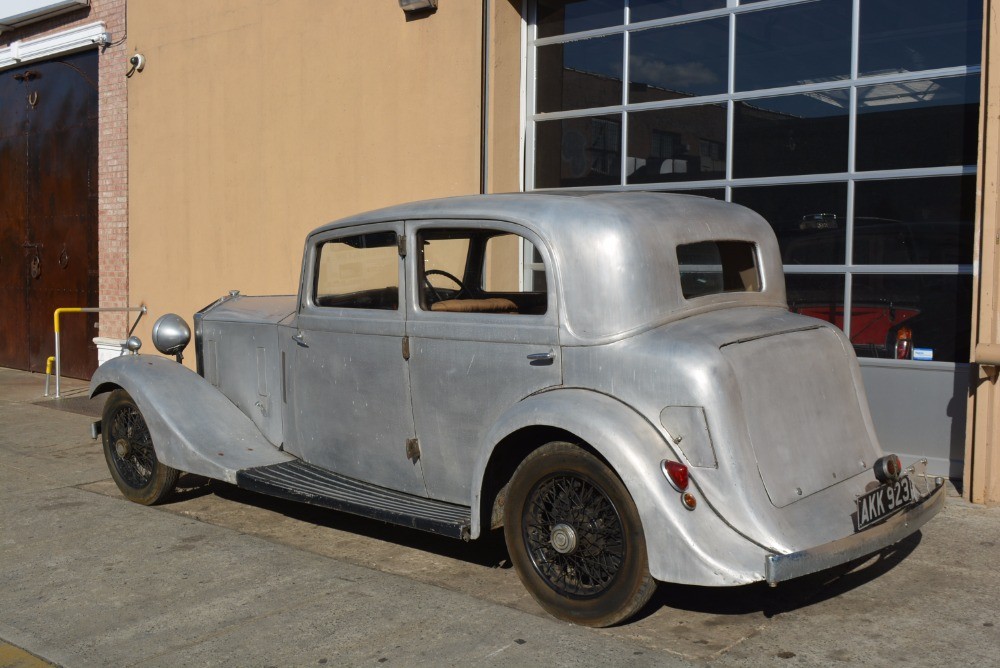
pixel 937 311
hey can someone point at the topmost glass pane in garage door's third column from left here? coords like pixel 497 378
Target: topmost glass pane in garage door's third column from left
pixel 793 45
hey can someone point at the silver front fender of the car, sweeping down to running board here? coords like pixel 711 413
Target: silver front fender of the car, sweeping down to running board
pixel 195 428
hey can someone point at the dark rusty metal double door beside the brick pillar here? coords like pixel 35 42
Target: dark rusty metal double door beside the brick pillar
pixel 48 211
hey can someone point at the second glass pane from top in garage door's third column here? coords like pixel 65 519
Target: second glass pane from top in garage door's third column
pixel 792 134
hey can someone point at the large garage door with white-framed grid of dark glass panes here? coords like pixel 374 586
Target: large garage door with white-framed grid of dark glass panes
pixel 850 125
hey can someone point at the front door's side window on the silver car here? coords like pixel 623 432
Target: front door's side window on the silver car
pixel 359 271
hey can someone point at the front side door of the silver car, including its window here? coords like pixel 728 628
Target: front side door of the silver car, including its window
pixel 349 393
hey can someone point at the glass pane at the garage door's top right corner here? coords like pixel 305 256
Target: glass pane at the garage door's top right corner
pixel 919 35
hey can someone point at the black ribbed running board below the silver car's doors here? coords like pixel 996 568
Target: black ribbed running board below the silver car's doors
pixel 299 481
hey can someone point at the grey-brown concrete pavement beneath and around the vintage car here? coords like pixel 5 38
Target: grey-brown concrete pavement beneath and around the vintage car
pixel 219 576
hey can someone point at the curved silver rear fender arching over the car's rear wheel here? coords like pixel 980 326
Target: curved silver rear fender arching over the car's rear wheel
pixel 684 546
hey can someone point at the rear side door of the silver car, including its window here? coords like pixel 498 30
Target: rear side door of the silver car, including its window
pixel 477 345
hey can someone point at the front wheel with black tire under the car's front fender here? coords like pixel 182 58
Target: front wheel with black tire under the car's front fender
pixel 128 450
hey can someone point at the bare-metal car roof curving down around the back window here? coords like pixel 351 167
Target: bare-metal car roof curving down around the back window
pixel 613 253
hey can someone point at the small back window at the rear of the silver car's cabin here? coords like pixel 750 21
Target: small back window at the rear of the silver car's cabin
pixel 713 267
